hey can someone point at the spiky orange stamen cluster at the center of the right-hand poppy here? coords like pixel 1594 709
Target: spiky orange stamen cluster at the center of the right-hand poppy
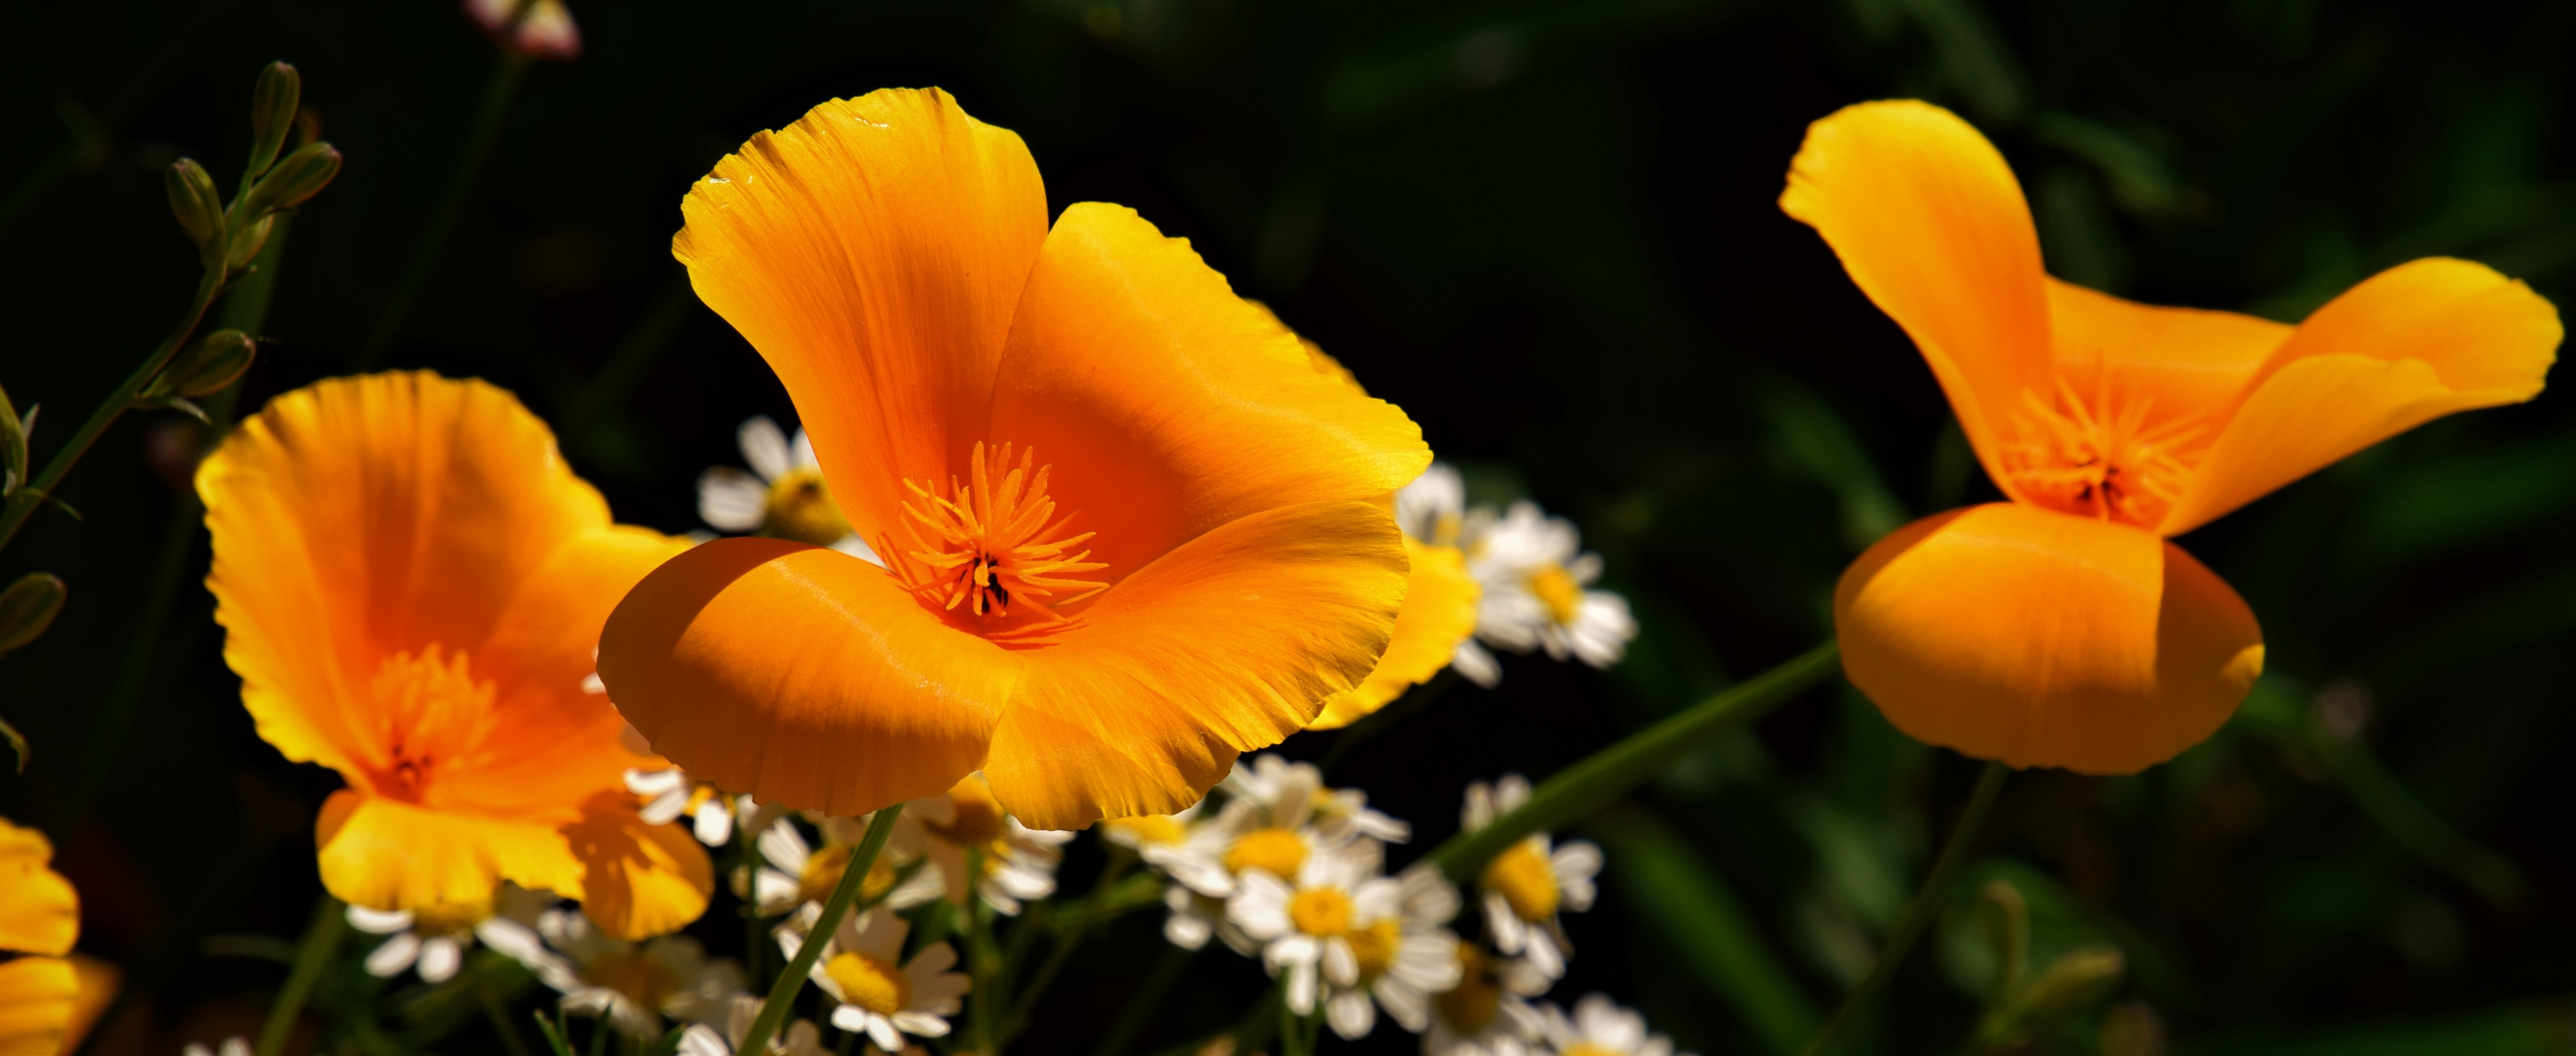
pixel 2103 460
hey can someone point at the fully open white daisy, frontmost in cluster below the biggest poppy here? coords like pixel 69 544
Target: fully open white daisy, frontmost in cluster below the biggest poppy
pixel 1307 923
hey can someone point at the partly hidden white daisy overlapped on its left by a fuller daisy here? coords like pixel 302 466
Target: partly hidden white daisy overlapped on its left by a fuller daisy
pixel 1403 959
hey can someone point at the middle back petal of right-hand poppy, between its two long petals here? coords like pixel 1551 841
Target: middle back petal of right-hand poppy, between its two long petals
pixel 2181 362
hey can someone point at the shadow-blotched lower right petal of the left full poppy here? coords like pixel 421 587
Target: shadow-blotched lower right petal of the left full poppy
pixel 638 880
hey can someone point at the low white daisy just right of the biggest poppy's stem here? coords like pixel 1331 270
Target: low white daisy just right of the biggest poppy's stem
pixel 882 995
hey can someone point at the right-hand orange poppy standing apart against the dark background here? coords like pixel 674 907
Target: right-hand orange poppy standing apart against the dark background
pixel 2062 627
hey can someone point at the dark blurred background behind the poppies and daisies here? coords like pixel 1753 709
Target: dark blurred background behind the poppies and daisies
pixel 1547 231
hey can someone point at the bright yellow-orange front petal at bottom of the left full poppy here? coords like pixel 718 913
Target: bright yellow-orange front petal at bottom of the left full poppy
pixel 385 854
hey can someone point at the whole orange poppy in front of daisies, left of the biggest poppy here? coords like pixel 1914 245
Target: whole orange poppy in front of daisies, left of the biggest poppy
pixel 411 583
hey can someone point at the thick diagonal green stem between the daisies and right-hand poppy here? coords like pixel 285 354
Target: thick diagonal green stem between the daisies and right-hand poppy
pixel 1614 771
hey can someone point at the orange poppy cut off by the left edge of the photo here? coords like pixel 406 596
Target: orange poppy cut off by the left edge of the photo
pixel 40 918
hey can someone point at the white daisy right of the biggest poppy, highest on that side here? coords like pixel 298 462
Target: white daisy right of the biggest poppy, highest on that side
pixel 1537 596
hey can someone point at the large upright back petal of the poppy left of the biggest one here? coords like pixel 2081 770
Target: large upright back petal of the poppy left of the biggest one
pixel 344 519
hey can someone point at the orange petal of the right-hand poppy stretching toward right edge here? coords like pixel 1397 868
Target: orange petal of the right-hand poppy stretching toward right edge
pixel 2397 352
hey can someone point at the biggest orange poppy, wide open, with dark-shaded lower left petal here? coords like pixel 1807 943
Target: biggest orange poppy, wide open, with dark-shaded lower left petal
pixel 1130 529
